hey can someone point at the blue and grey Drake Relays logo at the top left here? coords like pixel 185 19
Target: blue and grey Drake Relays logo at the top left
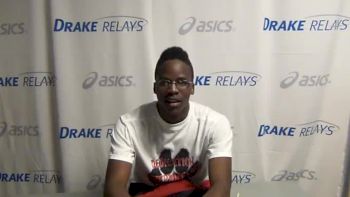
pixel 104 24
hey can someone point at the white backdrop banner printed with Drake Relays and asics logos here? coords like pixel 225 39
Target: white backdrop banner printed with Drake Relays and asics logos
pixel 279 70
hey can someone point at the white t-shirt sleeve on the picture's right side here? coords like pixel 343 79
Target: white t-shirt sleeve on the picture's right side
pixel 220 140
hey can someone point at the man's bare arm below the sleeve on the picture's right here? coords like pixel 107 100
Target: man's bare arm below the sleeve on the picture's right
pixel 220 177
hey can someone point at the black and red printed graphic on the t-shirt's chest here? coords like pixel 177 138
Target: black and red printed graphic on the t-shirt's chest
pixel 167 169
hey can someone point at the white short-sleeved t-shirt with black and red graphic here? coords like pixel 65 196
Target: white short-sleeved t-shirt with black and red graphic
pixel 161 152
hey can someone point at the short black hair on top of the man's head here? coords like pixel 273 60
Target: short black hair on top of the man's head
pixel 170 54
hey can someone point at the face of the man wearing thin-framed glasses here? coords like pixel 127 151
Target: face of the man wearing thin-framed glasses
pixel 173 99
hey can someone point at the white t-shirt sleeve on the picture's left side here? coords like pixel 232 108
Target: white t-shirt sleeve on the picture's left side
pixel 121 143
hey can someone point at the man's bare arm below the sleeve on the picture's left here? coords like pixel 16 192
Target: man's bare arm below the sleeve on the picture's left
pixel 117 177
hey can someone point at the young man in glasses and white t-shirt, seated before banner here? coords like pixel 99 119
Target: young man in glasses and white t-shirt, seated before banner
pixel 172 146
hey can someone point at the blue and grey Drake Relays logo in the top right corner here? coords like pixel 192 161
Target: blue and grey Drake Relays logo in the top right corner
pixel 322 22
